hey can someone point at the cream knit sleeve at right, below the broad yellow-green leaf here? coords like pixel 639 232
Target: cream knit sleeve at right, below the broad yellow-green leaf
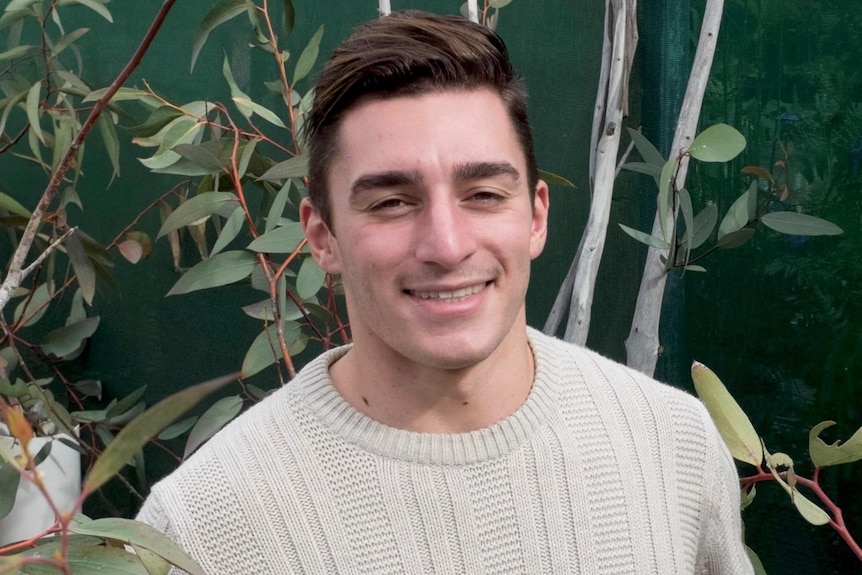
pixel 721 551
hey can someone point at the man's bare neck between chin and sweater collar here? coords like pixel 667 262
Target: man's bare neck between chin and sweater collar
pixel 400 394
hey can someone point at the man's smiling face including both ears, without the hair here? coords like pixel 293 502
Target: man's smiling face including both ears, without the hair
pixel 433 229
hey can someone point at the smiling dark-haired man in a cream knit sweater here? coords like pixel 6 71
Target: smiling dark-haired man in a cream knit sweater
pixel 450 437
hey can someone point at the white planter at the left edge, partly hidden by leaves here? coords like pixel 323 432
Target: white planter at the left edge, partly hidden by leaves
pixel 61 473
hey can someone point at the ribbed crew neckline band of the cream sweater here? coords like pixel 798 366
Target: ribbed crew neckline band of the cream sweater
pixel 500 439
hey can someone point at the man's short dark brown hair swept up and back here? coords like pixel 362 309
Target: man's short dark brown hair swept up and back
pixel 403 54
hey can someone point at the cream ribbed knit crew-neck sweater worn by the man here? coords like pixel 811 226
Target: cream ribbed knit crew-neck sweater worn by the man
pixel 602 471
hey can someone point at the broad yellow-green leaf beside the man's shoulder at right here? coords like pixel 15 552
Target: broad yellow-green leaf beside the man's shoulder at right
pixel 732 423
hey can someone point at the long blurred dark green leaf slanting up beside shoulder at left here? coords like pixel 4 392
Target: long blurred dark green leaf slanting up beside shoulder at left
pixel 146 426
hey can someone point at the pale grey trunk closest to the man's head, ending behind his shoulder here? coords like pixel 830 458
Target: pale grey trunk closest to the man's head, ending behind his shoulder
pixel 620 41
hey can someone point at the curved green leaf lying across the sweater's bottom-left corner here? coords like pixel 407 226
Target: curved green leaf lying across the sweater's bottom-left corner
pixel 141 535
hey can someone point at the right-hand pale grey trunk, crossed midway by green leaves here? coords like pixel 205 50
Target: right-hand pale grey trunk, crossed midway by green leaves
pixel 642 345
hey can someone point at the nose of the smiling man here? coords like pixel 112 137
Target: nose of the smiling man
pixel 446 235
